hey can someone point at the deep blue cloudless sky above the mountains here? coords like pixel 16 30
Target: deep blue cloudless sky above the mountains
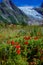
pixel 27 2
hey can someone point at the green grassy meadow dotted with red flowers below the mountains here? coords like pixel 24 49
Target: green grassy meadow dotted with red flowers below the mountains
pixel 21 45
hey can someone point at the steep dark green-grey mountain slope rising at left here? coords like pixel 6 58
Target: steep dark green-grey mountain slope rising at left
pixel 9 13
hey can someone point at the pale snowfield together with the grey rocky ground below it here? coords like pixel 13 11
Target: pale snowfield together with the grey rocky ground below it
pixel 34 16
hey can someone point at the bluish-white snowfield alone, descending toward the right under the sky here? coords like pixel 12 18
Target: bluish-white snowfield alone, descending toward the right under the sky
pixel 29 11
